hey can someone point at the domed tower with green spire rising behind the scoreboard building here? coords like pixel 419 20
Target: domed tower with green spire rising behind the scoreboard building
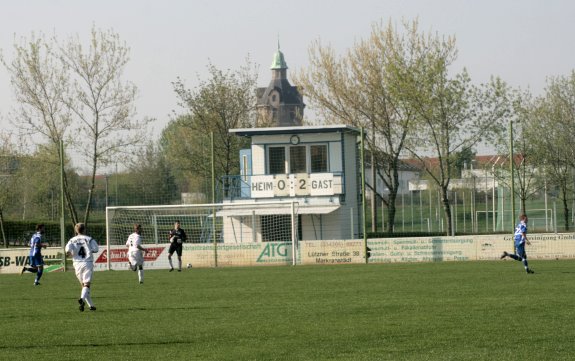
pixel 280 104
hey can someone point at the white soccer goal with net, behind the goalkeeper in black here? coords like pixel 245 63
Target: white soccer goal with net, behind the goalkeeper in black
pixel 217 224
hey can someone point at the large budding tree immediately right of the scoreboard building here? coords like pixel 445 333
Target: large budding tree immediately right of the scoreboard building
pixel 363 88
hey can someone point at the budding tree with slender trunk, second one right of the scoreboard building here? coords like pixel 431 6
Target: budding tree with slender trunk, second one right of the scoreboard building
pixel 453 115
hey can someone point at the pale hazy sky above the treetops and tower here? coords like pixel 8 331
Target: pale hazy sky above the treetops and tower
pixel 522 41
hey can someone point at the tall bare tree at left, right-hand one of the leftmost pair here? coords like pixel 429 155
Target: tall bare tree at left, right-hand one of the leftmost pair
pixel 101 101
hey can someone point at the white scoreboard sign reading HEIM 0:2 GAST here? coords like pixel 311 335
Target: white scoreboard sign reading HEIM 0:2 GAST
pixel 293 185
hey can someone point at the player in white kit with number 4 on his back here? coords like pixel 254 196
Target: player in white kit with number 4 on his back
pixel 81 248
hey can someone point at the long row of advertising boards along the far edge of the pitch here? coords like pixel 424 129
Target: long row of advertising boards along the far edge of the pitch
pixel 385 250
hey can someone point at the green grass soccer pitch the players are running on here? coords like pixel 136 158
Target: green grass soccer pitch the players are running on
pixel 425 311
